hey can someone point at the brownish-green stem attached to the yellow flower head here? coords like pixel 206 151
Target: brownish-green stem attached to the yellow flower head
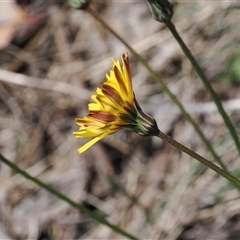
pixel 201 159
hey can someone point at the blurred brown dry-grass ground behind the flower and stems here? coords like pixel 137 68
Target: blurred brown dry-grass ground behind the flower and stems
pixel 52 58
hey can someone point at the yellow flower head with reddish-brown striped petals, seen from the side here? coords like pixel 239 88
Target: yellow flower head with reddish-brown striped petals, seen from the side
pixel 114 108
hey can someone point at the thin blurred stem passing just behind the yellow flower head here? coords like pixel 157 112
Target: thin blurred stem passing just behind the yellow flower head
pixel 163 86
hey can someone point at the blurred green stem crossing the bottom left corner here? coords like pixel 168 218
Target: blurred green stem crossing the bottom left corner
pixel 66 199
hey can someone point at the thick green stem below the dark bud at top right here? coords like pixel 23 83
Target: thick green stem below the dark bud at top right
pixel 206 83
